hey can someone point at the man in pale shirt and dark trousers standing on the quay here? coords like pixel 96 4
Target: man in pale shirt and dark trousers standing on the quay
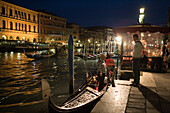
pixel 137 54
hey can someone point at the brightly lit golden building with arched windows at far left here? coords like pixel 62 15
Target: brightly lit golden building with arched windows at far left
pixel 18 23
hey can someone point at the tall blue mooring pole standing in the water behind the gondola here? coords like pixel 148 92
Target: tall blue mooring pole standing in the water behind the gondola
pixel 71 64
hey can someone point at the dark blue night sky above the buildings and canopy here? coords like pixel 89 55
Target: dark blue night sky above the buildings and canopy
pixel 112 13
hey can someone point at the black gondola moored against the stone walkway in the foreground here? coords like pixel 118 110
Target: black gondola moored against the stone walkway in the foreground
pixel 82 101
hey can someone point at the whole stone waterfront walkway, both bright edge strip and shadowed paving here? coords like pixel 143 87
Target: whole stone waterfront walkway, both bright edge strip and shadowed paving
pixel 153 96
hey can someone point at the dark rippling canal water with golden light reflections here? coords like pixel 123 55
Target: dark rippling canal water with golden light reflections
pixel 20 80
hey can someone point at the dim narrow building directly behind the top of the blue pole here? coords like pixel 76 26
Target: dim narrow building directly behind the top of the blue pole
pixel 74 30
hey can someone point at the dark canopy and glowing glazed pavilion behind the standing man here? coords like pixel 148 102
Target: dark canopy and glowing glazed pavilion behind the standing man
pixel 151 36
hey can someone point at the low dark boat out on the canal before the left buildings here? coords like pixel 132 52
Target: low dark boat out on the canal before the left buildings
pixel 37 56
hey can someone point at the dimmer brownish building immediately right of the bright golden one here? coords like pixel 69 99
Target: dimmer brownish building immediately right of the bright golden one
pixel 52 29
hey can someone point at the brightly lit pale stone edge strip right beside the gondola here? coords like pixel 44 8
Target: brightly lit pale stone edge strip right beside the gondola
pixel 115 99
